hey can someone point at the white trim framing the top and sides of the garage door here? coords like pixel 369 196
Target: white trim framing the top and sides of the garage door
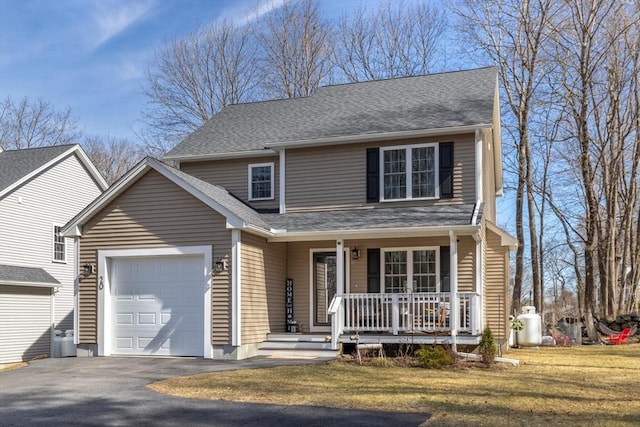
pixel 104 289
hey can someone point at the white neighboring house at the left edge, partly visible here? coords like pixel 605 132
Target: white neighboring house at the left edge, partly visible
pixel 40 190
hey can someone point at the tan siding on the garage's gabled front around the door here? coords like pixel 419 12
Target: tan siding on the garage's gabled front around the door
pixel 153 213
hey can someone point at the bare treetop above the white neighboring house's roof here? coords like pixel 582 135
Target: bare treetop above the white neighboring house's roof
pixel 27 124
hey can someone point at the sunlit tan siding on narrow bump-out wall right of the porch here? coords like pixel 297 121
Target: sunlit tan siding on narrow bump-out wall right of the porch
pixel 496 285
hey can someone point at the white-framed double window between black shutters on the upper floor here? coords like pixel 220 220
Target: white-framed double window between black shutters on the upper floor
pixel 409 172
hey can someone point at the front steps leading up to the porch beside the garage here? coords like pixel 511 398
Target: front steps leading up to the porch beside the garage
pixel 297 346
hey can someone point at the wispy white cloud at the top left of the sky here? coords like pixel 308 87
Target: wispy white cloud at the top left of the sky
pixel 112 17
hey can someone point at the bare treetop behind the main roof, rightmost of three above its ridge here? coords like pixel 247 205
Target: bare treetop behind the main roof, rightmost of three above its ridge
pixel 395 40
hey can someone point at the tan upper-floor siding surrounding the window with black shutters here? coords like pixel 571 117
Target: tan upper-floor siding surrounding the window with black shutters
pixel 335 175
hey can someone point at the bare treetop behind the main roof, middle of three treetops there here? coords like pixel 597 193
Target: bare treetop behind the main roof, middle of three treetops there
pixel 296 49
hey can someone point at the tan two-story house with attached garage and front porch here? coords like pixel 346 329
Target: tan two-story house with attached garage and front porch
pixel 366 209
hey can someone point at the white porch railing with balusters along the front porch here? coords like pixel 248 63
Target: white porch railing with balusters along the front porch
pixel 402 313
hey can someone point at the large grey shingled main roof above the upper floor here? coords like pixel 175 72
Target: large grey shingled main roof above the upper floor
pixel 434 101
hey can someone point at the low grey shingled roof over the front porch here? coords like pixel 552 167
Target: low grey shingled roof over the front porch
pixel 372 219
